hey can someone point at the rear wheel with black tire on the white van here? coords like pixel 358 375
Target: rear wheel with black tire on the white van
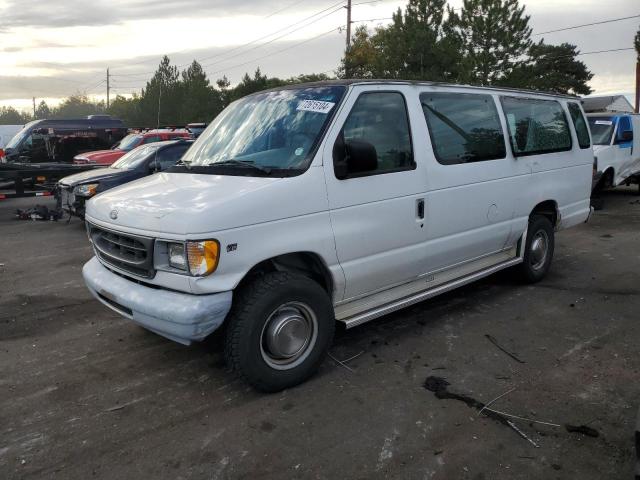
pixel 534 268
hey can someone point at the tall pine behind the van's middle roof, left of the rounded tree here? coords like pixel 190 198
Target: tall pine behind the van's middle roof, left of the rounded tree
pixel 493 37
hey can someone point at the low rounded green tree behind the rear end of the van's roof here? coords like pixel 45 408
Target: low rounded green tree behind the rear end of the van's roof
pixel 551 68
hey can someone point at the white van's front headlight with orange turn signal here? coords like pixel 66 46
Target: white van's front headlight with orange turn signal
pixel 198 258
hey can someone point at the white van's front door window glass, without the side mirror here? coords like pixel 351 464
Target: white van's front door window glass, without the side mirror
pixel 380 118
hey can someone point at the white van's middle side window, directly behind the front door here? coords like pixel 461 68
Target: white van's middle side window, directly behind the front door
pixel 463 127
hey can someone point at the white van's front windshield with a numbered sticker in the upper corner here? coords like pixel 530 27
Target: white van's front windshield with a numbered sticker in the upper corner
pixel 272 131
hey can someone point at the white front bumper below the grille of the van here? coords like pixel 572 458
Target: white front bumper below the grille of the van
pixel 181 317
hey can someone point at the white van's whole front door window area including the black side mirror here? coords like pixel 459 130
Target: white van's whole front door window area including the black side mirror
pixel 377 133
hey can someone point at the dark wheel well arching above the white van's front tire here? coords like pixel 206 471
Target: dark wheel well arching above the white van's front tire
pixel 304 263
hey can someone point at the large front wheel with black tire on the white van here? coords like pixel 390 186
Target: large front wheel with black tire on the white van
pixel 254 308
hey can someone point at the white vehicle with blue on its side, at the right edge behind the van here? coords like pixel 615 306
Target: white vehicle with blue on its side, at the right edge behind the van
pixel 616 145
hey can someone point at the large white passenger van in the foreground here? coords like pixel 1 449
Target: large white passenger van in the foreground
pixel 342 201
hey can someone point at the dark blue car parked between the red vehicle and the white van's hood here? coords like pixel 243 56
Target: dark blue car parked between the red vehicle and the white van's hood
pixel 72 192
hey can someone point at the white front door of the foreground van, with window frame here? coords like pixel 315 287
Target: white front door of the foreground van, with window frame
pixel 377 215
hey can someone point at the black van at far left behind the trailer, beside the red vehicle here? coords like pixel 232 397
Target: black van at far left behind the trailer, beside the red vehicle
pixel 55 141
